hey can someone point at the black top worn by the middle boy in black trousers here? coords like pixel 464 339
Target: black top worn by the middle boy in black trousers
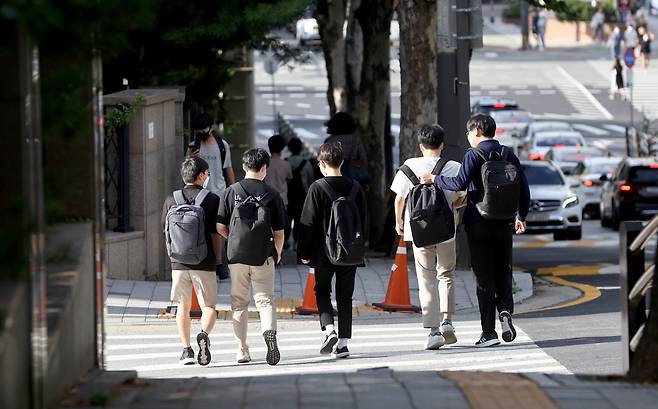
pixel 315 216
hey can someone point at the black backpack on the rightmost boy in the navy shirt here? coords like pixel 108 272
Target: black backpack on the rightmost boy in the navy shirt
pixel 501 186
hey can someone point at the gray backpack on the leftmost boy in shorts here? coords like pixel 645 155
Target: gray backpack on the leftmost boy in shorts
pixel 185 231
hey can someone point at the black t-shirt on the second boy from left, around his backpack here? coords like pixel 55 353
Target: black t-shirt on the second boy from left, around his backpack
pixel 259 190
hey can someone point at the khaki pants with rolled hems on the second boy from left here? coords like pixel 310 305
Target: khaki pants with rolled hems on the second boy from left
pixel 261 280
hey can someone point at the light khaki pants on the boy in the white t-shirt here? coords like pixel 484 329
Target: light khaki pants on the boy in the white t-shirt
pixel 435 269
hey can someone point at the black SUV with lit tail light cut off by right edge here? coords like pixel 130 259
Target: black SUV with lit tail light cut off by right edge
pixel 630 193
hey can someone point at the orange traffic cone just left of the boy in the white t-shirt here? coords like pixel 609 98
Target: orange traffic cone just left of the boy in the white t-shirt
pixel 397 295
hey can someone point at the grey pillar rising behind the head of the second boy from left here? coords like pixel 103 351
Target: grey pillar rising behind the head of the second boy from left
pixel 240 126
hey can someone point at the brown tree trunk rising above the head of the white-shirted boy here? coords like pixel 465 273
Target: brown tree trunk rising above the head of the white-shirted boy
pixel 418 56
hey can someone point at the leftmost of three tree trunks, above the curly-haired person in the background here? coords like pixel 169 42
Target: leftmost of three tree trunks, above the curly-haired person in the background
pixel 331 17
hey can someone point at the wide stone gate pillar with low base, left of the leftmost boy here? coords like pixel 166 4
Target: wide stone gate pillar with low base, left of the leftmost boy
pixel 154 145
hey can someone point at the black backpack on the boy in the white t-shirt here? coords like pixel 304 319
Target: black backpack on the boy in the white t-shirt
pixel 430 215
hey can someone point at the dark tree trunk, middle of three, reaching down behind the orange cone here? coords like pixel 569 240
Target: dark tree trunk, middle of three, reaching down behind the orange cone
pixel 374 17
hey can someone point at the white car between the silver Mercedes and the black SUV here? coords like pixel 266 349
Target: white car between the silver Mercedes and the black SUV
pixel 587 178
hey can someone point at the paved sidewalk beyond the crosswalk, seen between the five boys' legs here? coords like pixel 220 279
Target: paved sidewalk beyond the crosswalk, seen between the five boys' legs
pixel 142 301
